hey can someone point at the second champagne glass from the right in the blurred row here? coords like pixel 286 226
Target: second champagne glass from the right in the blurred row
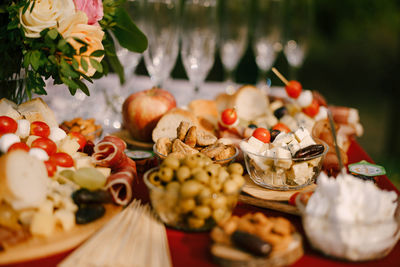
pixel 267 36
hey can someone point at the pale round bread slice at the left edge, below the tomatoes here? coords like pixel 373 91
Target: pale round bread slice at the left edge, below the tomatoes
pixel 23 180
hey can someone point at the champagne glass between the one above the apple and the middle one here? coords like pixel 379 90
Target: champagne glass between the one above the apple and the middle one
pixel 199 38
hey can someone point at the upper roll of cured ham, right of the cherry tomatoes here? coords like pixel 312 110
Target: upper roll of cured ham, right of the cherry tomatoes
pixel 109 152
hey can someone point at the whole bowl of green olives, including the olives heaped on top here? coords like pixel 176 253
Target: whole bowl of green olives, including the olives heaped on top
pixel 194 193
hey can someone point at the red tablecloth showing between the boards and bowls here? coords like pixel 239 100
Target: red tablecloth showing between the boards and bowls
pixel 192 249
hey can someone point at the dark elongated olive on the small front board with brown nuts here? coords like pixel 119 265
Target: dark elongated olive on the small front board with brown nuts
pixel 251 243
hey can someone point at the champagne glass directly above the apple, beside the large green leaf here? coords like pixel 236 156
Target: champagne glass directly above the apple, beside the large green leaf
pixel 160 24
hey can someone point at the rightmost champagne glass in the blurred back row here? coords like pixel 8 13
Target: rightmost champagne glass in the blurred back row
pixel 297 28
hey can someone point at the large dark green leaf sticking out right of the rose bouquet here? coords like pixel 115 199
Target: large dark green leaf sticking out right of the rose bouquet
pixel 127 34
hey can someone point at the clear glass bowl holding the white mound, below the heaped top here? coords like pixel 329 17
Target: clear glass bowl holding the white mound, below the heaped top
pixel 350 241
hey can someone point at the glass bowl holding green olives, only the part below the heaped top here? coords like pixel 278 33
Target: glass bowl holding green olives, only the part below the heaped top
pixel 198 212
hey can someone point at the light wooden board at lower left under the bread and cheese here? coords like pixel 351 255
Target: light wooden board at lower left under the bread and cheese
pixel 38 247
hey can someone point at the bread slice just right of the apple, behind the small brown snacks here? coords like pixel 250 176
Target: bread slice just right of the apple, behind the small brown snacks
pixel 167 125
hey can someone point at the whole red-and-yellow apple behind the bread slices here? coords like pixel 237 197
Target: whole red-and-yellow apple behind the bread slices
pixel 142 110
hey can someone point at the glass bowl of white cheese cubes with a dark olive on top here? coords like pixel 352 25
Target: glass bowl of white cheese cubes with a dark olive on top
pixel 274 172
